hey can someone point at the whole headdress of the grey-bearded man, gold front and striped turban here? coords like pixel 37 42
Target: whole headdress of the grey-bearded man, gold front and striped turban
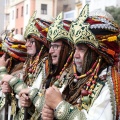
pixel 98 31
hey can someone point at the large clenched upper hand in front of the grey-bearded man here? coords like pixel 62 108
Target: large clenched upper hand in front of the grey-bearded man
pixel 53 97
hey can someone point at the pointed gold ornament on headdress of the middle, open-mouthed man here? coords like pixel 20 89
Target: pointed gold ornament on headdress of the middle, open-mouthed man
pixel 56 30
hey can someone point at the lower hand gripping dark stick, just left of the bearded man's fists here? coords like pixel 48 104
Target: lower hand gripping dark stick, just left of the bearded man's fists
pixel 25 102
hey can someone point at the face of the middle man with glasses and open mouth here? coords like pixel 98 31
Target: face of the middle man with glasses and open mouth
pixel 55 48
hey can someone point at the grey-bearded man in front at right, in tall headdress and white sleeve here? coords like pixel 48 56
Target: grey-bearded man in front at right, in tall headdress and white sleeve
pixel 92 93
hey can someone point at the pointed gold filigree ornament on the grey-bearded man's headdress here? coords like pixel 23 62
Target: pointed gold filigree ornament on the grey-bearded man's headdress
pixel 79 30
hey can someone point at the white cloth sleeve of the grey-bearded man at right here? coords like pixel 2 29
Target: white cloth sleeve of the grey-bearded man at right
pixel 101 108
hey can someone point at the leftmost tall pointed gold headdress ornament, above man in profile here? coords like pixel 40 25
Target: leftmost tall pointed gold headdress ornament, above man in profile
pixel 30 28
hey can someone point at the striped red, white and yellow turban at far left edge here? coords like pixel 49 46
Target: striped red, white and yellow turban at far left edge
pixel 14 45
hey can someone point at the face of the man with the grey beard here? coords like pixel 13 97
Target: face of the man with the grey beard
pixel 80 51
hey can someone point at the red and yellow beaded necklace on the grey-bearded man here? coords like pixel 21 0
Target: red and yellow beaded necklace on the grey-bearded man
pixel 87 88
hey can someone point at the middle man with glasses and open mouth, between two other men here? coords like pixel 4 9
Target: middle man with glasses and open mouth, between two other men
pixel 60 59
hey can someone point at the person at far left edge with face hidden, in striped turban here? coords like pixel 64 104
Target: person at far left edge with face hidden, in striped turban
pixel 11 63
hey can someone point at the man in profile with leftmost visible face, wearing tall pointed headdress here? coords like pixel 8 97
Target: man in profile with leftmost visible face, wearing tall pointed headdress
pixel 33 72
